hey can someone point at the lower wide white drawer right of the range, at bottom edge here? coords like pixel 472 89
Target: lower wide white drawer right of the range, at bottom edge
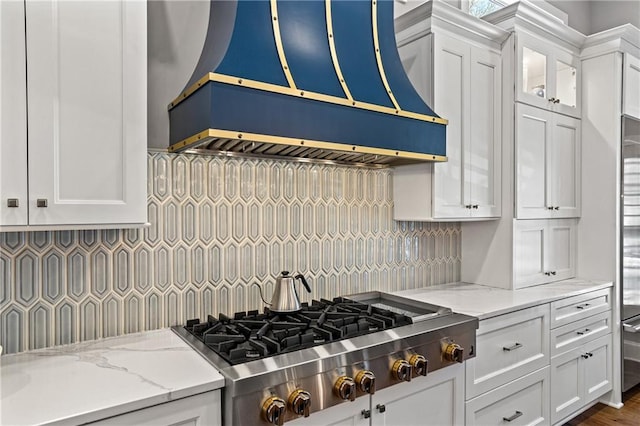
pixel 522 402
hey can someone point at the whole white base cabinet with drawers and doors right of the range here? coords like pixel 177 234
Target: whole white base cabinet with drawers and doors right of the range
pixel 541 365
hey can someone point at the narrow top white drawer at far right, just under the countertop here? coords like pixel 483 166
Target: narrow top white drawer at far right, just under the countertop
pixel 576 308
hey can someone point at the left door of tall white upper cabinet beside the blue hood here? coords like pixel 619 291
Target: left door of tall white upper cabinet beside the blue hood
pixel 451 59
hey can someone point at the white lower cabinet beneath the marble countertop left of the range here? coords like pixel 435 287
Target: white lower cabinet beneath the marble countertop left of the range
pixel 199 410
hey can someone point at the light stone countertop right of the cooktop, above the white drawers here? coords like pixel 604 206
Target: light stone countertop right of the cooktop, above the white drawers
pixel 486 302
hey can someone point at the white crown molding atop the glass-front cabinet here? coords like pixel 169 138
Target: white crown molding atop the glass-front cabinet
pixel 525 14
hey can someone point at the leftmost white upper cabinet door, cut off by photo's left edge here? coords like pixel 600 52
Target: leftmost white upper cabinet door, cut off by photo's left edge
pixel 13 114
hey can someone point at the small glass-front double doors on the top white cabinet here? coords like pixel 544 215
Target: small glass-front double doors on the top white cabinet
pixel 547 76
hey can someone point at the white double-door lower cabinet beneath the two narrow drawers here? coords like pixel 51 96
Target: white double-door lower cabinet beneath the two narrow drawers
pixel 579 377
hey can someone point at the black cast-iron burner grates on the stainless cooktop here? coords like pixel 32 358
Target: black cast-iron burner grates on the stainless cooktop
pixel 252 335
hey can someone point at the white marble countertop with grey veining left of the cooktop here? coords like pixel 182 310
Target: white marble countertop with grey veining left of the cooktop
pixel 88 381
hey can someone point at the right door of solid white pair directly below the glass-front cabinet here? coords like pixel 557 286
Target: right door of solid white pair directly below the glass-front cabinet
pixel 564 160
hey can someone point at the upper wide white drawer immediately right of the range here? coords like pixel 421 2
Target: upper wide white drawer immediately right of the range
pixel 508 347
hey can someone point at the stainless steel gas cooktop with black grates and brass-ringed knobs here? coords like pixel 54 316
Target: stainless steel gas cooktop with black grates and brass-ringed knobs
pixel 278 367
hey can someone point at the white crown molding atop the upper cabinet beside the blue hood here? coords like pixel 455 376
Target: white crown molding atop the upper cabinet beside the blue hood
pixel 433 14
